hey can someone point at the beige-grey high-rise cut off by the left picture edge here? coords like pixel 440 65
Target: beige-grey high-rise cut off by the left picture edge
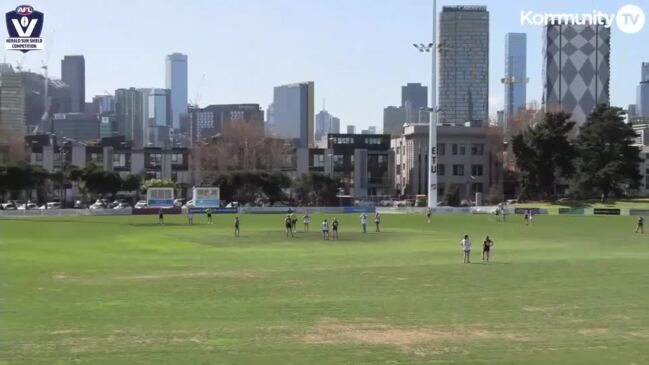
pixel 12 116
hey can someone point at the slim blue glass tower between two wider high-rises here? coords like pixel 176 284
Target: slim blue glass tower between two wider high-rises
pixel 515 79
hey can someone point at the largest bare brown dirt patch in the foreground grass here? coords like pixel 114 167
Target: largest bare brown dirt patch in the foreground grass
pixel 418 340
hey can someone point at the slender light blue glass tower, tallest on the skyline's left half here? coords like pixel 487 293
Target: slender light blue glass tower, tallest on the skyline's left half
pixel 176 81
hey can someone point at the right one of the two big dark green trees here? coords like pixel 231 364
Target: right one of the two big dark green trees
pixel 608 162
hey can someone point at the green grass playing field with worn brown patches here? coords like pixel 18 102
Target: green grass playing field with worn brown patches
pixel 123 290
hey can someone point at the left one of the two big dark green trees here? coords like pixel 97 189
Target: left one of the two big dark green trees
pixel 544 154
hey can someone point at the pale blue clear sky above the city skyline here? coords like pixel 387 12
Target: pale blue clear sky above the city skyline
pixel 358 52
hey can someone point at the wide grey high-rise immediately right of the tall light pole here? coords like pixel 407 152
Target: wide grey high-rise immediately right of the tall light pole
pixel 464 65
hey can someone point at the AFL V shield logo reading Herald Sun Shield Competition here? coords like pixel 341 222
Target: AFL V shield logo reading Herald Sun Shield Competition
pixel 24 25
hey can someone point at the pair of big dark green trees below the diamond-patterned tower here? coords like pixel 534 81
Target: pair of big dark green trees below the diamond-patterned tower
pixel 599 161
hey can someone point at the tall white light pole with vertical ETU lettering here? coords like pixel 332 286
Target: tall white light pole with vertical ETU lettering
pixel 432 129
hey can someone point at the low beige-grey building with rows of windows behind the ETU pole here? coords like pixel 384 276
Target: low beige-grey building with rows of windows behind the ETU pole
pixel 465 159
